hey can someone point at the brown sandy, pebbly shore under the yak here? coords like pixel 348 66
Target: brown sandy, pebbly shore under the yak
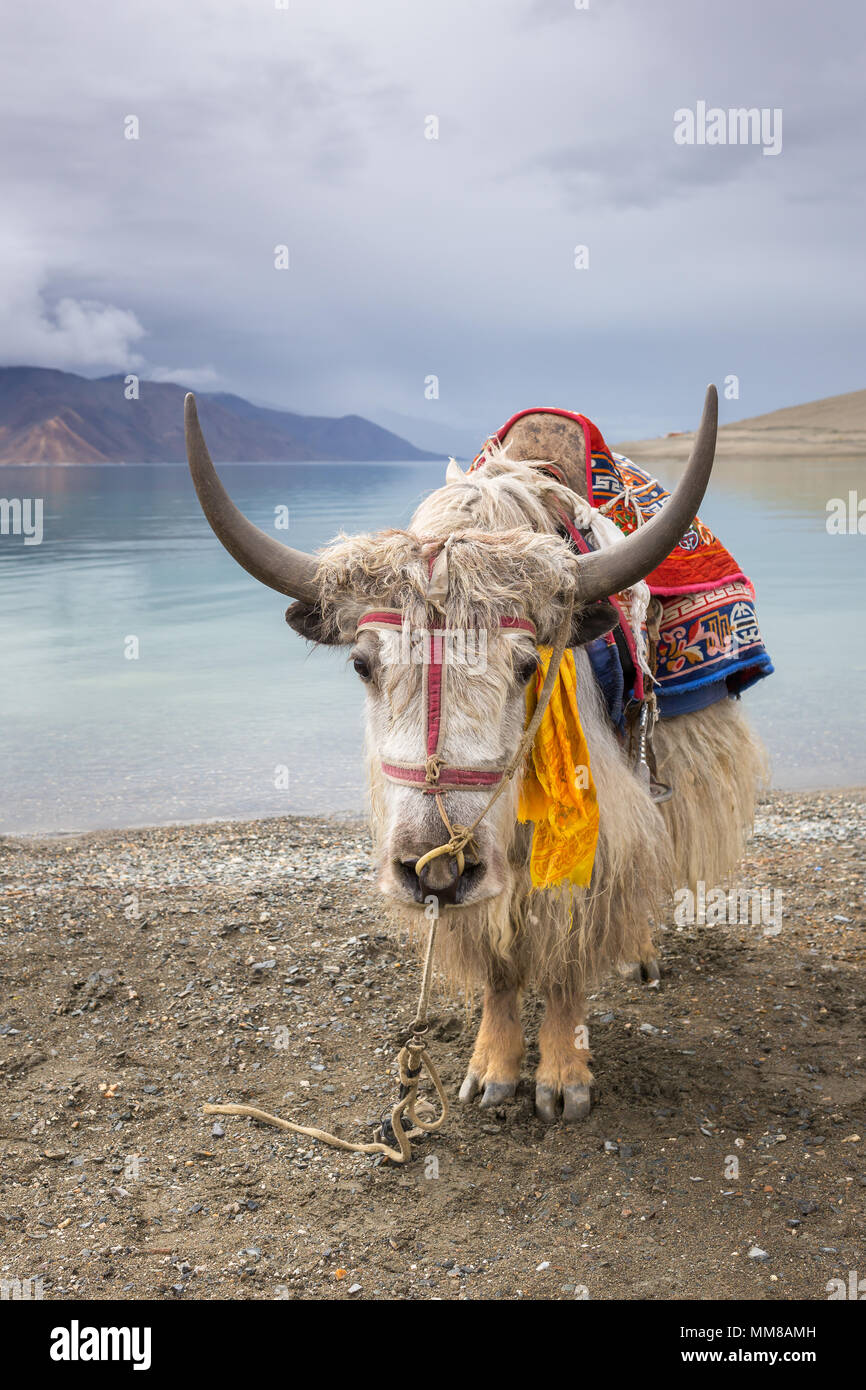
pixel 148 972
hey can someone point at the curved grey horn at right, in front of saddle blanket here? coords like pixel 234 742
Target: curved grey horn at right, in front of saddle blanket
pixel 604 573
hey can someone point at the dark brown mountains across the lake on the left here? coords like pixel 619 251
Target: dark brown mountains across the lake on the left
pixel 59 418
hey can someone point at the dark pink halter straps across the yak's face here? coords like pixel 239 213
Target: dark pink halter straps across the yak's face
pixel 434 775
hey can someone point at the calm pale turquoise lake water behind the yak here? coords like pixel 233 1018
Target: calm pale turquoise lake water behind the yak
pixel 223 693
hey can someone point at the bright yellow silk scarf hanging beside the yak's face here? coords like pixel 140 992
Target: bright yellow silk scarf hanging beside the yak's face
pixel 558 793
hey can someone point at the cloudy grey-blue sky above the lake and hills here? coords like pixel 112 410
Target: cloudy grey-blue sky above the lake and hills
pixel 409 258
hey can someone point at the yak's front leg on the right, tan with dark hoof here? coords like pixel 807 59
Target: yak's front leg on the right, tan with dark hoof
pixel 564 1070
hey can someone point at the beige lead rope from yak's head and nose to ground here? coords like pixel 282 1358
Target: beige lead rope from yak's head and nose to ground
pixel 414 1057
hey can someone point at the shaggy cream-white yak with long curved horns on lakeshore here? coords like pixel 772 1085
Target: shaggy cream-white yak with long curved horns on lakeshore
pixel 487 554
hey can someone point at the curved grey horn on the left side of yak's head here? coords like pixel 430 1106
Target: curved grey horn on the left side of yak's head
pixel 269 561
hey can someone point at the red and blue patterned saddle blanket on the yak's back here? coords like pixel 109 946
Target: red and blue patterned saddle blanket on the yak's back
pixel 710 644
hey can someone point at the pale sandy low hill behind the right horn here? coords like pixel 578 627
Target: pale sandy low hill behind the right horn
pixel 822 430
